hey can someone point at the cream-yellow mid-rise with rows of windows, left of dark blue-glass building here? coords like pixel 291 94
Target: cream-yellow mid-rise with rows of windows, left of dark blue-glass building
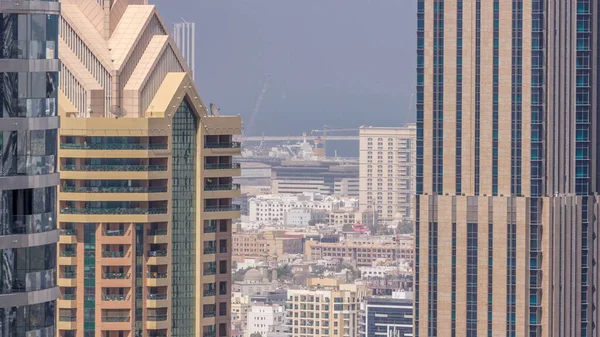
pixel 327 308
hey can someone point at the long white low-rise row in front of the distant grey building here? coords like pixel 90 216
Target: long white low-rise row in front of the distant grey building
pixel 272 207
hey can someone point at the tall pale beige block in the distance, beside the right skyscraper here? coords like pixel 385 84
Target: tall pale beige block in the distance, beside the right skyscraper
pixel 387 170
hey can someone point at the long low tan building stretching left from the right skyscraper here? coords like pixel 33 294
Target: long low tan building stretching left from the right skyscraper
pixel 362 253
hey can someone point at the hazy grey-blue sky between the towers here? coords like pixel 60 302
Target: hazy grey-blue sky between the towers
pixel 343 63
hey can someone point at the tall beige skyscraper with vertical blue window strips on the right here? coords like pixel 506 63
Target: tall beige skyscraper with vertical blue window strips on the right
pixel 507 165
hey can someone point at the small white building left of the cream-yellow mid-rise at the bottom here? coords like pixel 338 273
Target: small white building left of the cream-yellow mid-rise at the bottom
pixel 266 319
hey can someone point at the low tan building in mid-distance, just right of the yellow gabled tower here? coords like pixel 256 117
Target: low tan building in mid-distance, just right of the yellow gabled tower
pixel 261 246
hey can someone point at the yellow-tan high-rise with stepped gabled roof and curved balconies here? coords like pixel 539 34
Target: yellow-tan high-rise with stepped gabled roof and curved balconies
pixel 145 203
